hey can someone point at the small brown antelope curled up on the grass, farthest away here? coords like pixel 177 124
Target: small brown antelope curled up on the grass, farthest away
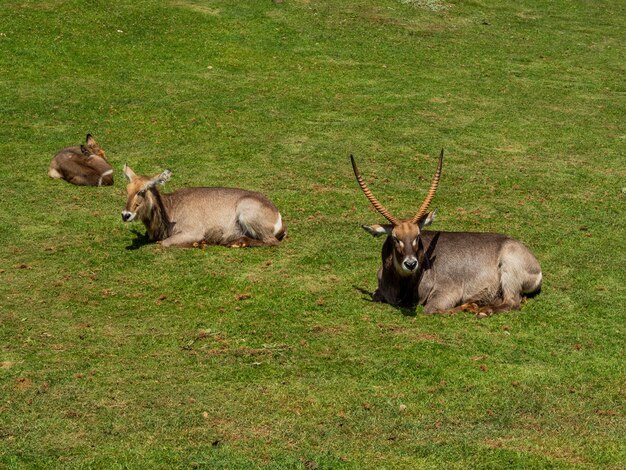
pixel 84 165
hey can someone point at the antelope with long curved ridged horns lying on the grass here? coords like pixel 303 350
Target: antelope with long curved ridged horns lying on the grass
pixel 449 271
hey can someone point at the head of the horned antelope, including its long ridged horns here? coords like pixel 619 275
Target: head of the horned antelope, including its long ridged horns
pixel 403 234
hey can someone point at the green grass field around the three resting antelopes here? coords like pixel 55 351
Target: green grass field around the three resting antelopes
pixel 120 354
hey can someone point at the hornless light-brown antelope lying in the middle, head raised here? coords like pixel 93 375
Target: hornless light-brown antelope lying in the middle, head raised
pixel 189 217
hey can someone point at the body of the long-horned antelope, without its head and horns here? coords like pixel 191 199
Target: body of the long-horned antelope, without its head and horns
pixel 480 272
